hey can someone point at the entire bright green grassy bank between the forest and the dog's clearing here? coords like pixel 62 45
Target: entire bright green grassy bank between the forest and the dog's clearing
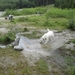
pixel 53 18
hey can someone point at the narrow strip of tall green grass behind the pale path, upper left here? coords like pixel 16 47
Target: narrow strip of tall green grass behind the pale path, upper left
pixel 26 11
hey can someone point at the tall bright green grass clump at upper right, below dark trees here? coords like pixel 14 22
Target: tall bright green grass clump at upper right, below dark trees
pixel 61 13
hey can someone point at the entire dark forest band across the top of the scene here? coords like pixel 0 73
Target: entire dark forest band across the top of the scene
pixel 16 4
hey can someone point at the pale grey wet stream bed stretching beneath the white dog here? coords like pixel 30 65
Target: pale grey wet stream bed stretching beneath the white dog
pixel 33 50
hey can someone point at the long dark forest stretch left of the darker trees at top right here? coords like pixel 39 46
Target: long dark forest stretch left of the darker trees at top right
pixel 12 4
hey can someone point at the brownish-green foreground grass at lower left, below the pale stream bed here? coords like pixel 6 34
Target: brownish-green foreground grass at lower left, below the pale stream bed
pixel 13 62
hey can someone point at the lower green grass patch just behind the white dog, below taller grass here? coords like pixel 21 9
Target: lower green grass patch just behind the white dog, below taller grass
pixel 52 23
